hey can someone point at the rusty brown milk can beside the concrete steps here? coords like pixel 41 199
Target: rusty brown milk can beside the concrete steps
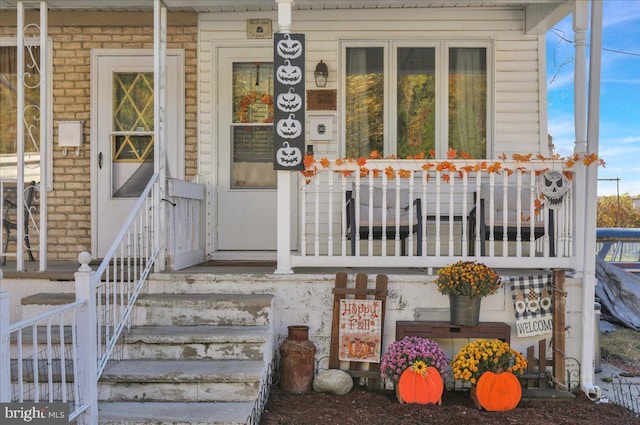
pixel 297 355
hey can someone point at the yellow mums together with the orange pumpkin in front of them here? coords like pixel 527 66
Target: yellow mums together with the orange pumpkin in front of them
pixel 490 366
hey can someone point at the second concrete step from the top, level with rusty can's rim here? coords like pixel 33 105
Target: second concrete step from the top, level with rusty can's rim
pixel 196 342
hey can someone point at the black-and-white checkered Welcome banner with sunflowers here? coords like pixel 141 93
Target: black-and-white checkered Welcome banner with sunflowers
pixel 532 301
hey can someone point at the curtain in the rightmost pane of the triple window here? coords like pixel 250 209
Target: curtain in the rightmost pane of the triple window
pixel 467 101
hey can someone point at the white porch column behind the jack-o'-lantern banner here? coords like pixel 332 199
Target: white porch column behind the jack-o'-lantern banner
pixel 283 244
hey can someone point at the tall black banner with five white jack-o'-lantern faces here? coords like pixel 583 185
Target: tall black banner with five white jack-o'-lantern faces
pixel 289 93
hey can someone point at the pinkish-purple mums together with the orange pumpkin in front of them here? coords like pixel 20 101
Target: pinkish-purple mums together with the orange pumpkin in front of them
pixel 415 365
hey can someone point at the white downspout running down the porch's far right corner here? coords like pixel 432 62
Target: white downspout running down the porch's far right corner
pixel 591 178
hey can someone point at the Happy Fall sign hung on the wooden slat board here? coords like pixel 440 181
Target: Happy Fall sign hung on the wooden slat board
pixel 360 330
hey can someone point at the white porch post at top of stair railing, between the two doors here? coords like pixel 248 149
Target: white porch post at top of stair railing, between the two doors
pixel 159 129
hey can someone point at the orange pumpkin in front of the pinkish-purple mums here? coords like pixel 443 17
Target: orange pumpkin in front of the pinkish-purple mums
pixel 422 389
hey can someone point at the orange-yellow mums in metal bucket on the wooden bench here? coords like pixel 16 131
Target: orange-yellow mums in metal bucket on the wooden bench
pixel 466 283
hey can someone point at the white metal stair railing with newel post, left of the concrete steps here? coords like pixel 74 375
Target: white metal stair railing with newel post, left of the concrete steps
pixel 70 346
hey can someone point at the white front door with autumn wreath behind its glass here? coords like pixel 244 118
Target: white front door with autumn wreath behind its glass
pixel 246 203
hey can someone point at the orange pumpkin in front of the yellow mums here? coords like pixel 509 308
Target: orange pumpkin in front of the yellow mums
pixel 498 391
